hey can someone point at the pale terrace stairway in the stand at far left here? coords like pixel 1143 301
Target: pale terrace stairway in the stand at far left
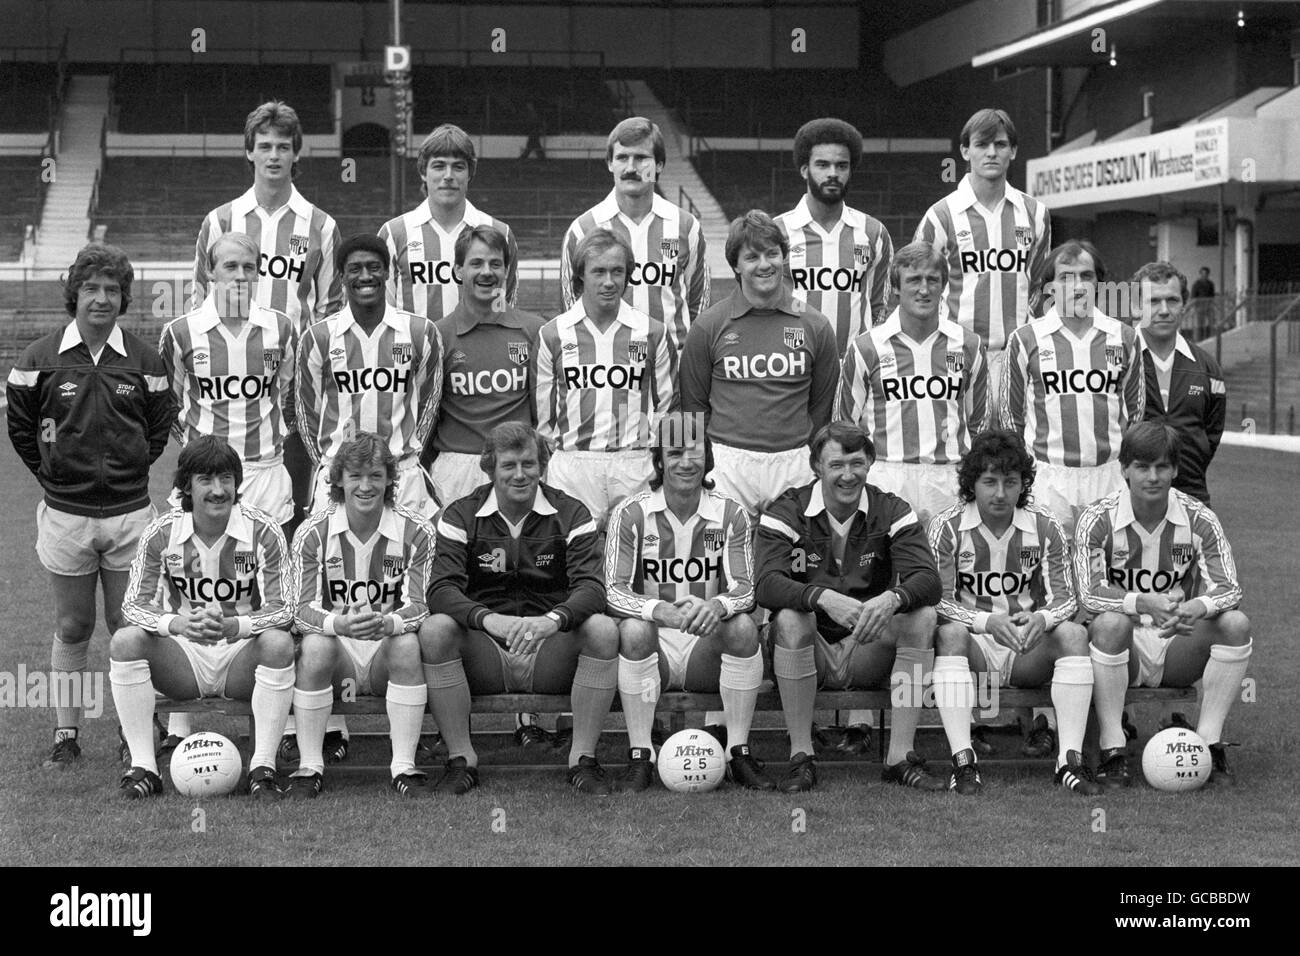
pixel 64 224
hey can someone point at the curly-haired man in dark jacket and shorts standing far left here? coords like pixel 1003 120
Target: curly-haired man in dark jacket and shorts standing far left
pixel 89 414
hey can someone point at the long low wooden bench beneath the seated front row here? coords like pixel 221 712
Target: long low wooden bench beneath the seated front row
pixel 678 706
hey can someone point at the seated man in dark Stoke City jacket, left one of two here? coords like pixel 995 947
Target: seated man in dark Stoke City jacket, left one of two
pixel 518 579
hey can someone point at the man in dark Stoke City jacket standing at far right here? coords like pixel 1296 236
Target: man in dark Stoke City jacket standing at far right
pixel 1184 383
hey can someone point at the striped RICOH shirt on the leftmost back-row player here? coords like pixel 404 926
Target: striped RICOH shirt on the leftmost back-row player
pixel 296 270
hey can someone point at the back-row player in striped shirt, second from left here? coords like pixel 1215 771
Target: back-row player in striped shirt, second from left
pixel 422 244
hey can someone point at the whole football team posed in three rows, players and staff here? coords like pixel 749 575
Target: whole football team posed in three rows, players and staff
pixel 866 468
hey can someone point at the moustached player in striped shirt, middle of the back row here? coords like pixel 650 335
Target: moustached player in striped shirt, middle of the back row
pixel 669 279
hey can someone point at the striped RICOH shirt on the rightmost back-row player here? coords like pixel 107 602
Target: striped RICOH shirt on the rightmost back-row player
pixel 991 258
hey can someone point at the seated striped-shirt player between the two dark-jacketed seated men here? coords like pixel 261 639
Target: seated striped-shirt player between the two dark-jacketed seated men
pixel 679 573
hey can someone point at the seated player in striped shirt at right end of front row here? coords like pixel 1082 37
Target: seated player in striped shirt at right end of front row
pixel 1155 568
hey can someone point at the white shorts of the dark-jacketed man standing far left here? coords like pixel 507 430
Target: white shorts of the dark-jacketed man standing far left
pixel 75 546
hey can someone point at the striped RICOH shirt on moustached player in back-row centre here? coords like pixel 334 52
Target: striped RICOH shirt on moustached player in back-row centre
pixel 670 278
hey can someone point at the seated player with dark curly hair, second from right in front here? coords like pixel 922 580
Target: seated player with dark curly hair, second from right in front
pixel 1008 604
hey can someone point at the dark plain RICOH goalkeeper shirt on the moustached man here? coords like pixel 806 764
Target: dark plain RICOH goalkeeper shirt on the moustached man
pixel 488 377
